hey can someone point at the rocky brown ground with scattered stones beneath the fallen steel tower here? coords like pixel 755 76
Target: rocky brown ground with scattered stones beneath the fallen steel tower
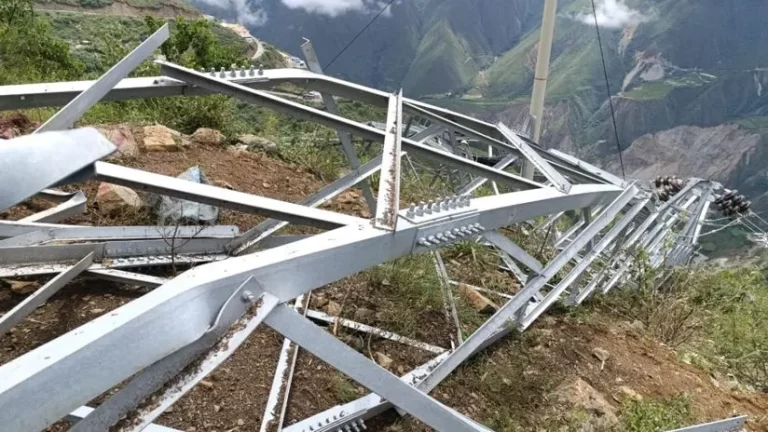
pixel 589 363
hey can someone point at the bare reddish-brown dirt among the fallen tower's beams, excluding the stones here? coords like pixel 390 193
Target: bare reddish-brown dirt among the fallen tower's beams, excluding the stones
pixel 517 374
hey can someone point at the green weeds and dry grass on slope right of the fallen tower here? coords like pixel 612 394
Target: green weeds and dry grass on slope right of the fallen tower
pixel 719 315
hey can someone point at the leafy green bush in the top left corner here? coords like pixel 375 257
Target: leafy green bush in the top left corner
pixel 28 51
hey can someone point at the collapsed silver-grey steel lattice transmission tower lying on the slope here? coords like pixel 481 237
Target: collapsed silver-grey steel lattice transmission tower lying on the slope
pixel 165 342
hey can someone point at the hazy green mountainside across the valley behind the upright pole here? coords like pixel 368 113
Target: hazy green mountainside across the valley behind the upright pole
pixel 670 63
